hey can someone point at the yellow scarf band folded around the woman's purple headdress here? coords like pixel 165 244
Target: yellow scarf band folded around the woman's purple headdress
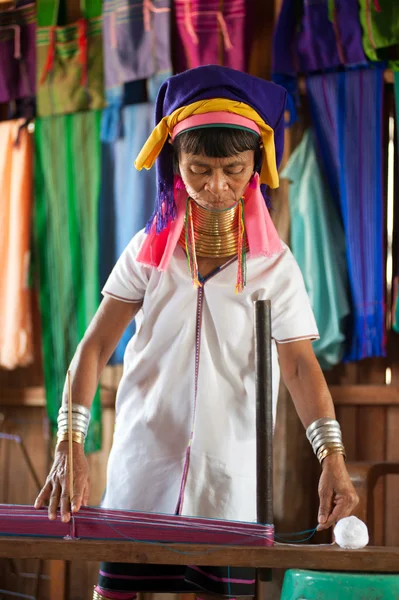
pixel 159 136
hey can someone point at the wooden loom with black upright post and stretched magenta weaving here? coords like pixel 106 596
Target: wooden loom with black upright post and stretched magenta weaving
pixel 98 535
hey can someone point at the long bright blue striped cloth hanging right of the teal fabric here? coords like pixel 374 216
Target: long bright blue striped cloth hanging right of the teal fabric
pixel 347 114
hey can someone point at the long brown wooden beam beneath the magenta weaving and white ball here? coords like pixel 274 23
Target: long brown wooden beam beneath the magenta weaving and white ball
pixel 284 556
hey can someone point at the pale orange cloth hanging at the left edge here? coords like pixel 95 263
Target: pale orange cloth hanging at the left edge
pixel 16 175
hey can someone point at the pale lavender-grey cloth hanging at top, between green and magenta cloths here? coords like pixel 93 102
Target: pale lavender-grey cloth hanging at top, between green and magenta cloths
pixel 136 40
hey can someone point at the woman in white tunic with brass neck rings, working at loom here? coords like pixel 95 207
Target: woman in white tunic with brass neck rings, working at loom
pixel 184 438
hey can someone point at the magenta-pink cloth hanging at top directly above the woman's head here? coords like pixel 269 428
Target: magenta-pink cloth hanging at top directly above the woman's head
pixel 211 32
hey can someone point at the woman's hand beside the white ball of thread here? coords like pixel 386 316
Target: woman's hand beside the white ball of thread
pixel 336 492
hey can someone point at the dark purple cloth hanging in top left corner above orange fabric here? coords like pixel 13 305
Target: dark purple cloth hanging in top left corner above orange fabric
pixel 17 53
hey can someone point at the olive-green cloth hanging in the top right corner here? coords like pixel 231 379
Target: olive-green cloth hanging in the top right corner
pixel 380 23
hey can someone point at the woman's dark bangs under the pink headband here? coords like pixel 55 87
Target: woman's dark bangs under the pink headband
pixel 216 142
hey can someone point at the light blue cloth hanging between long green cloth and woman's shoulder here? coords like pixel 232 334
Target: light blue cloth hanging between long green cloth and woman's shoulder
pixel 127 195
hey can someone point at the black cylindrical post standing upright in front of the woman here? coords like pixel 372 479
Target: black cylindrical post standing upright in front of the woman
pixel 264 412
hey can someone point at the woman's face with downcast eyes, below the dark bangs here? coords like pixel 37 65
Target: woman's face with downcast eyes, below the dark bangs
pixel 216 182
